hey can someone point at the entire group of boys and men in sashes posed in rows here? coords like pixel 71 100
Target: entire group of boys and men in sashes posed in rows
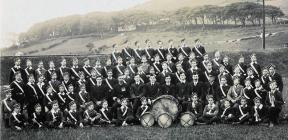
pixel 123 89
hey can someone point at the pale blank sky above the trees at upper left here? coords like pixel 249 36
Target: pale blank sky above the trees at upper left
pixel 18 15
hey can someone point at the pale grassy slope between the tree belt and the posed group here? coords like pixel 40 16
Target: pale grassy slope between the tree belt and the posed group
pixel 226 40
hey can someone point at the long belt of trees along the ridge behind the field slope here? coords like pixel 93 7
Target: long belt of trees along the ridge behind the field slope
pixel 241 13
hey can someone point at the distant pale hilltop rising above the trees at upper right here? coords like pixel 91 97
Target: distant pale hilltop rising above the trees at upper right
pixel 168 5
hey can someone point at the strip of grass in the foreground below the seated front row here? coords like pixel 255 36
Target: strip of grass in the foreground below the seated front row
pixel 137 132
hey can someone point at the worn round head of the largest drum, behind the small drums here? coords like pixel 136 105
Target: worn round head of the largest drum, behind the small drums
pixel 165 104
